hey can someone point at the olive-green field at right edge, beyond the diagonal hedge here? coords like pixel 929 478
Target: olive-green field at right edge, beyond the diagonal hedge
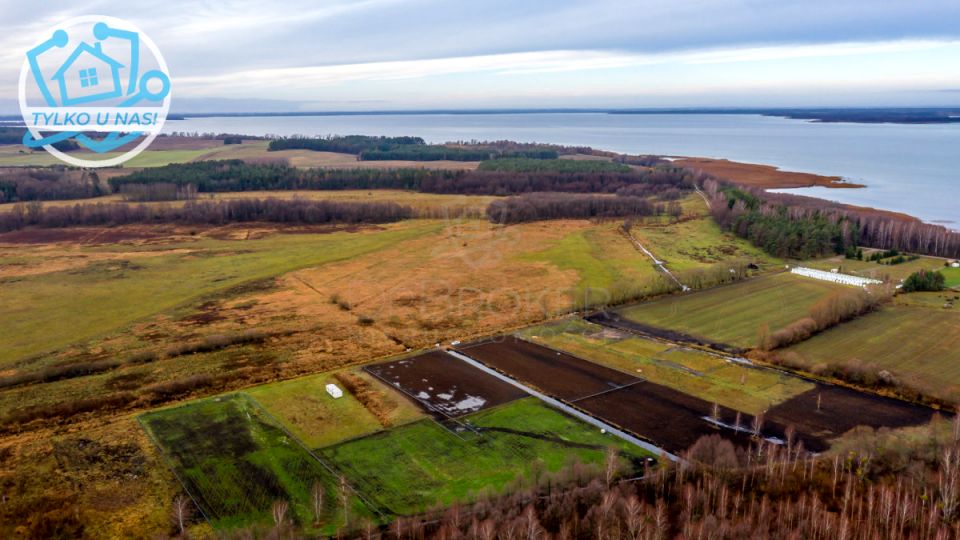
pixel 919 345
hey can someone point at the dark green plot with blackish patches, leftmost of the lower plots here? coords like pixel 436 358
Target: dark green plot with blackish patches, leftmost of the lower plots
pixel 236 462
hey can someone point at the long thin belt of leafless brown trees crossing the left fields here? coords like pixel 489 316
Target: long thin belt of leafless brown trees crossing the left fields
pixel 301 211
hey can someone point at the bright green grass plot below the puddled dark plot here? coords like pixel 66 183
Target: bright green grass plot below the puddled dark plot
pixel 419 465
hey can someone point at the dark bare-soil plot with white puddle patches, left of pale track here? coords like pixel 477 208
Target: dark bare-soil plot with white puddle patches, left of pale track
pixel 445 385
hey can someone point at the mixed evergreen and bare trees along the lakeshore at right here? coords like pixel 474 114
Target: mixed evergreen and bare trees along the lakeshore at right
pixel 804 227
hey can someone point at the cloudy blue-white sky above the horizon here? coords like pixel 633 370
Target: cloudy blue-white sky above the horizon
pixel 303 55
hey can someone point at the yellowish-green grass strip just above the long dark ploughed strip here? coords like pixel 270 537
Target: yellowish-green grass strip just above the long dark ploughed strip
pixel 693 372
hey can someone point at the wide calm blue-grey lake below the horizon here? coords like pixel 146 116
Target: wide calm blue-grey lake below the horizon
pixel 907 168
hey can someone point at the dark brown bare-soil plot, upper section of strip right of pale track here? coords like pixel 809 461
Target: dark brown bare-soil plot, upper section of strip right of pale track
pixel 559 374
